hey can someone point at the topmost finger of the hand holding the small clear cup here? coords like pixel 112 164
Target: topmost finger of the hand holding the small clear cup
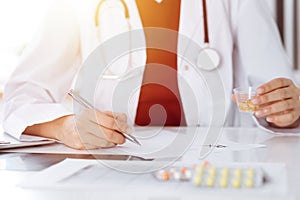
pixel 273 85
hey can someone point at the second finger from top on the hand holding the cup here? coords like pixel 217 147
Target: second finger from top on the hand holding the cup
pixel 276 95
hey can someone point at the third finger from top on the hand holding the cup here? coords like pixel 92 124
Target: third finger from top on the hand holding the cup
pixel 277 107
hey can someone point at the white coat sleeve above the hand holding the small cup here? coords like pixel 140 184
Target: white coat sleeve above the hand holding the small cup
pixel 259 50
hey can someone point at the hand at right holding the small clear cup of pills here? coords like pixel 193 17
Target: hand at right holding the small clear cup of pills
pixel 278 101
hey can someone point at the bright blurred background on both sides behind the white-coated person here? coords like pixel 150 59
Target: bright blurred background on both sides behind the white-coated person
pixel 20 19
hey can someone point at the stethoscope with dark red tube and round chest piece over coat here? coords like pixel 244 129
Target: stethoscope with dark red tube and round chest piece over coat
pixel 208 58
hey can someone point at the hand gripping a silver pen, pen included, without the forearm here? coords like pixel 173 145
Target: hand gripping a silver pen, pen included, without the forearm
pixel 107 127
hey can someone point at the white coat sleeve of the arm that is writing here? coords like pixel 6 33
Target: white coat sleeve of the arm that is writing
pixel 39 84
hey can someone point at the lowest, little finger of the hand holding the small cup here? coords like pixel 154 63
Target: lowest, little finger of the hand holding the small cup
pixel 285 119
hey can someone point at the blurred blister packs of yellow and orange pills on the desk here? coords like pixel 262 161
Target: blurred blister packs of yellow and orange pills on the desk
pixel 219 176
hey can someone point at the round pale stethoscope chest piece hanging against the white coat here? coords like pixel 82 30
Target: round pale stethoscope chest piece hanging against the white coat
pixel 208 59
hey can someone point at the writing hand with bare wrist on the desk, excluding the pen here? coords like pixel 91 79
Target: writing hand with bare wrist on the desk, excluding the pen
pixel 89 130
